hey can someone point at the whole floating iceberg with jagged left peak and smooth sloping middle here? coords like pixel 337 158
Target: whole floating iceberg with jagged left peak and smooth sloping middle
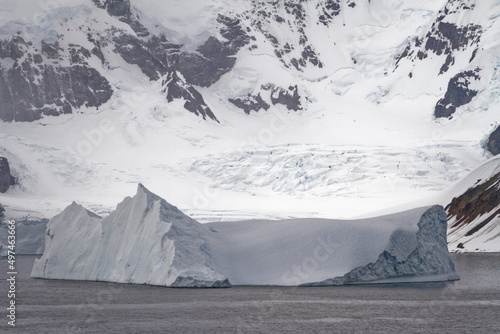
pixel 149 241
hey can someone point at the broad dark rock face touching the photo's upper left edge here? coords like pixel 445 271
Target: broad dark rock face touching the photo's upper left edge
pixel 31 88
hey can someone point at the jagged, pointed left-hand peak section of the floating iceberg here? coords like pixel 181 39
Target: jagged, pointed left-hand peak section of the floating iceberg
pixel 145 240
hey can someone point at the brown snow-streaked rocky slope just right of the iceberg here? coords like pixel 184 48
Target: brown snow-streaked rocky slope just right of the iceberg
pixel 477 201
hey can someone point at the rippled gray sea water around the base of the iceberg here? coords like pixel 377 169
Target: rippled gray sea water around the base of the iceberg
pixel 471 305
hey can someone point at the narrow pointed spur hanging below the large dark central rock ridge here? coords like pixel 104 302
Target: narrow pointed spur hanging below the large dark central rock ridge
pixel 176 88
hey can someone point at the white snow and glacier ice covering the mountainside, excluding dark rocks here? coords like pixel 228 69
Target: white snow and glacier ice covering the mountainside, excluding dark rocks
pixel 365 142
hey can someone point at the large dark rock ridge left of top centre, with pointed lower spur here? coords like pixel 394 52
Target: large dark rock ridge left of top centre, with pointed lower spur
pixel 159 58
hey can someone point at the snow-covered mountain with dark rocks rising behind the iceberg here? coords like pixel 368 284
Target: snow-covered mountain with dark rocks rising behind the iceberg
pixel 243 108
